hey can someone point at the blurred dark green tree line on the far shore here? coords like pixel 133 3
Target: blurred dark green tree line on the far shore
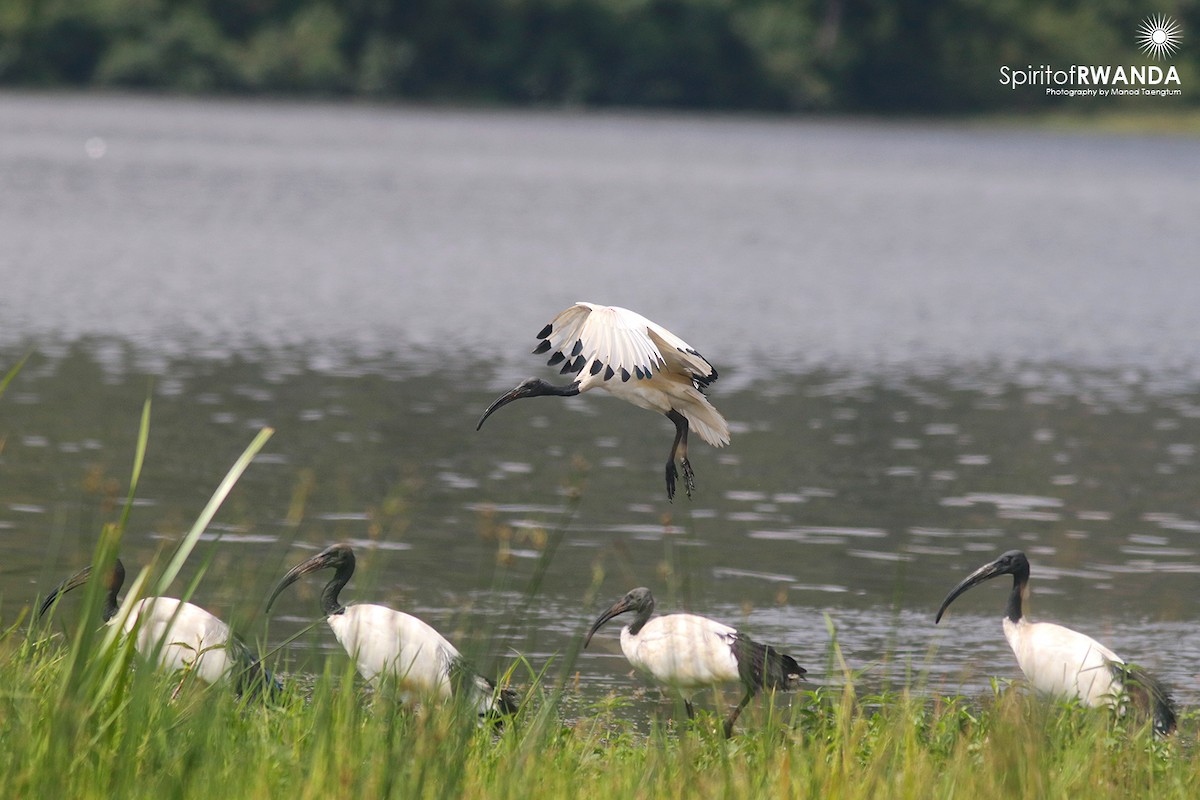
pixel 866 56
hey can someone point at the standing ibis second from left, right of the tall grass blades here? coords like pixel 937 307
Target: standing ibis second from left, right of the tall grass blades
pixel 387 643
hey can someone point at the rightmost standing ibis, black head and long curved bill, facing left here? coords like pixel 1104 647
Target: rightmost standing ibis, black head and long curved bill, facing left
pixel 1064 663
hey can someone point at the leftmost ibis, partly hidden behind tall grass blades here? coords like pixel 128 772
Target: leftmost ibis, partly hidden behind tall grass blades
pixel 183 635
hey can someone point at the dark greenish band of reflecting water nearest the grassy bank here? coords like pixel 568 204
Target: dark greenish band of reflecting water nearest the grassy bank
pixel 856 500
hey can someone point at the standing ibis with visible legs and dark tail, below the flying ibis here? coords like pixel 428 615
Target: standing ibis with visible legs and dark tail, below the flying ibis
pixel 686 653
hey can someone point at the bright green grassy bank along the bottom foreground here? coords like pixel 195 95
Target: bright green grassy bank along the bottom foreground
pixel 81 721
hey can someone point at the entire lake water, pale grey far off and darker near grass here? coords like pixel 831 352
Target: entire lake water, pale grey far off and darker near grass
pixel 937 342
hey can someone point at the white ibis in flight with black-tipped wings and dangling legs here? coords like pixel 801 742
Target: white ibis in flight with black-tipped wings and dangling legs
pixel 632 358
